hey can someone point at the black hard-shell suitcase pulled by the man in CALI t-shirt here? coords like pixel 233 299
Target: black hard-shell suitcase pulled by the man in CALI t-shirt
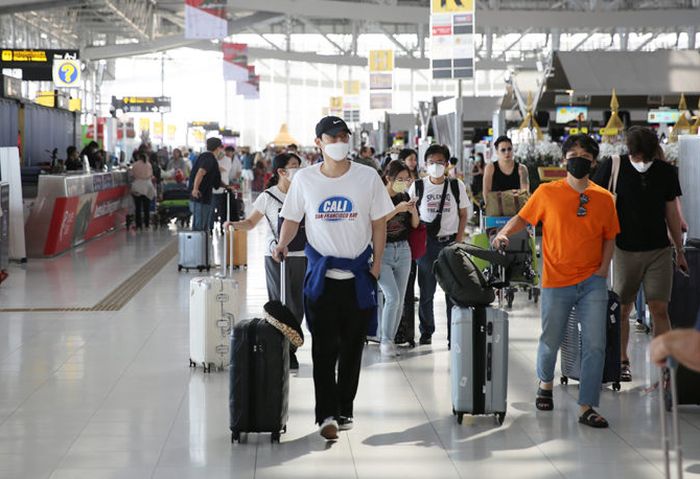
pixel 259 377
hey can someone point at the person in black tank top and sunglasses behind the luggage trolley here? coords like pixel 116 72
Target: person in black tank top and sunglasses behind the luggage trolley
pixel 505 173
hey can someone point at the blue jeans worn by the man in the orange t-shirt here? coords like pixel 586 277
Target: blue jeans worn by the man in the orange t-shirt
pixel 590 297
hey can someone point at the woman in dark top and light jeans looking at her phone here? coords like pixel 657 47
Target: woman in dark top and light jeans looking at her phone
pixel 396 262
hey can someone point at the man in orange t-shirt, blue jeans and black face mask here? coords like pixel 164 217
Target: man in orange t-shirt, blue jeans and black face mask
pixel 579 225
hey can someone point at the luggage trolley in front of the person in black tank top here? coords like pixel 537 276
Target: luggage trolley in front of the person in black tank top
pixel 525 271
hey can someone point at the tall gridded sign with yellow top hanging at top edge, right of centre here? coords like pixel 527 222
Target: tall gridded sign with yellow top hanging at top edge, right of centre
pixel 452 39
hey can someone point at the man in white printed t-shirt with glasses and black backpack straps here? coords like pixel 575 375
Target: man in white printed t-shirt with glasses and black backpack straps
pixel 444 231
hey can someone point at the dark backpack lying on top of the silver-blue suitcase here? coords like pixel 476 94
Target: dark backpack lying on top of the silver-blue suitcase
pixel 459 277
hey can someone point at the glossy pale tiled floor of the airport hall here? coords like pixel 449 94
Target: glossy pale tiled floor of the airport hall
pixel 110 395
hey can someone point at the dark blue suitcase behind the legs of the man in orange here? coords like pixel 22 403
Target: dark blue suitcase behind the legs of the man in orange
pixel 571 346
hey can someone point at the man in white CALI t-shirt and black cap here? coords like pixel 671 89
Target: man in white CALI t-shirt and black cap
pixel 345 206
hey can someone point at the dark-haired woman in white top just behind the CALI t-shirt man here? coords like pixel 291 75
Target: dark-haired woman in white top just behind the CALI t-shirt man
pixel 268 206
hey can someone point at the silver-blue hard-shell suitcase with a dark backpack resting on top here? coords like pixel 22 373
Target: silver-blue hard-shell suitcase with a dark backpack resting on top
pixel 479 361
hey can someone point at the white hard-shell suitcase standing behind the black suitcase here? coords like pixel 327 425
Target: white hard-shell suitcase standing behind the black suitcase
pixel 214 307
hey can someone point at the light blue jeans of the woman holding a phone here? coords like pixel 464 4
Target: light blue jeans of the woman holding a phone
pixel 393 279
